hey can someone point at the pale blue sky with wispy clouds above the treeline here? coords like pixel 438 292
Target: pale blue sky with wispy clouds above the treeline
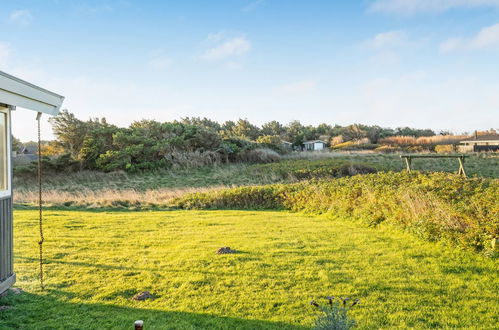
pixel 420 63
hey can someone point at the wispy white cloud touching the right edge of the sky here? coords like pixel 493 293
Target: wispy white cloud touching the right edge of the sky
pixel 487 38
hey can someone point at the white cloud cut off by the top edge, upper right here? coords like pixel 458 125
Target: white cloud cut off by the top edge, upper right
pixel 411 7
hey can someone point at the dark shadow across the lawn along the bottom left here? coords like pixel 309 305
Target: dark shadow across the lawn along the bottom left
pixel 53 311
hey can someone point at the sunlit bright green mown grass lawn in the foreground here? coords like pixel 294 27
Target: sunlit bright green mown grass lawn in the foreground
pixel 96 261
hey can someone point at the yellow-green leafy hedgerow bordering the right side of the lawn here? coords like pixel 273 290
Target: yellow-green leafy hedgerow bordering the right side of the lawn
pixel 434 206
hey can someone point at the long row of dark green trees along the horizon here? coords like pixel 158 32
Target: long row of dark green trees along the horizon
pixel 147 144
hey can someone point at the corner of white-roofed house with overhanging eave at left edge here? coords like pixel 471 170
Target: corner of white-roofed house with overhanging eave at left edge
pixel 15 94
